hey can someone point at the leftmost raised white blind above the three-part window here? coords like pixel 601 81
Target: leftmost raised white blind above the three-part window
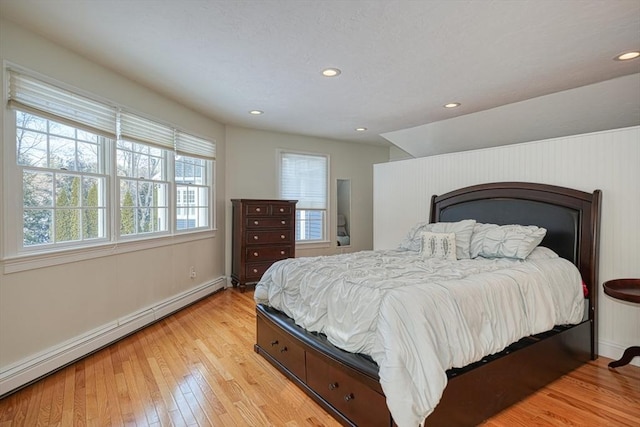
pixel 29 94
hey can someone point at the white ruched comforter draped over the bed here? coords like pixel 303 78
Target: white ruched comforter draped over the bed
pixel 417 318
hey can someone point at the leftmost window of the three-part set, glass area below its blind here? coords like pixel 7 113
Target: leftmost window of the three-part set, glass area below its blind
pixel 63 182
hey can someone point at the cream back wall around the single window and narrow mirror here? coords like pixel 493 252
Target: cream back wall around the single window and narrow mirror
pixel 252 173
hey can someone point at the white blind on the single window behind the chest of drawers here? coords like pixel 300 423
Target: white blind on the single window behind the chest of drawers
pixel 304 178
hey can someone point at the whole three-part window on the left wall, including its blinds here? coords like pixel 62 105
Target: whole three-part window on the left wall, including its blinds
pixel 93 172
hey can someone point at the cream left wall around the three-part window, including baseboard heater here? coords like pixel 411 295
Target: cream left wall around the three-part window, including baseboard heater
pixel 51 314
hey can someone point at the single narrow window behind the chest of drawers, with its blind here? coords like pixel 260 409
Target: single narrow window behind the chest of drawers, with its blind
pixel 304 177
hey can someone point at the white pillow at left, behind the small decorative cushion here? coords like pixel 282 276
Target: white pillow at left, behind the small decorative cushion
pixel 462 229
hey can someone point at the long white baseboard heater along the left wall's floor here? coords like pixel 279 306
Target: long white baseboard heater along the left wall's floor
pixel 38 365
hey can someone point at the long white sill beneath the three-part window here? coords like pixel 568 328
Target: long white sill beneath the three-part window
pixel 31 261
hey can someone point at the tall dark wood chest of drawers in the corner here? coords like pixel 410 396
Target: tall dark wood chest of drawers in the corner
pixel 263 233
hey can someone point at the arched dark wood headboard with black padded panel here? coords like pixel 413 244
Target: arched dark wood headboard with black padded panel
pixel 571 217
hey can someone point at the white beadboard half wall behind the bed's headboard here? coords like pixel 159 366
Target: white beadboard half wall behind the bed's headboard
pixel 608 160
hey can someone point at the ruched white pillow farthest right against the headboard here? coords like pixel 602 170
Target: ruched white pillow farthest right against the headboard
pixel 511 241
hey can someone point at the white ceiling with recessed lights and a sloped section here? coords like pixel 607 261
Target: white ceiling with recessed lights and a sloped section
pixel 509 63
